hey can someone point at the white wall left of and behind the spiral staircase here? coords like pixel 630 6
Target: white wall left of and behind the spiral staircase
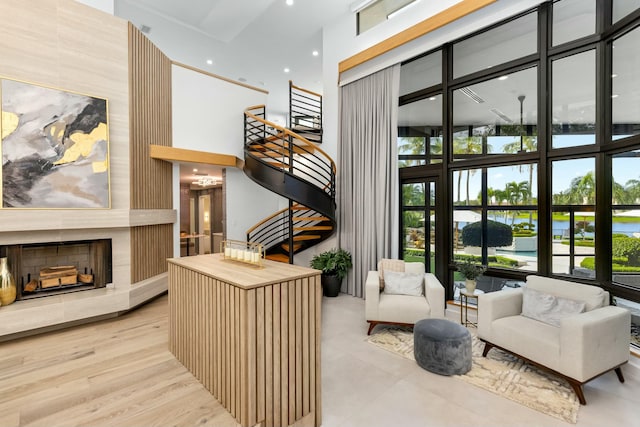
pixel 208 116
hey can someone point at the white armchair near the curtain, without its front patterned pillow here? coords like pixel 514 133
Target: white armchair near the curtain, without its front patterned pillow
pixel 381 307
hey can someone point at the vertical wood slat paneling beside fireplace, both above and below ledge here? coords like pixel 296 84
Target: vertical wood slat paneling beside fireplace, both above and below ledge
pixel 151 179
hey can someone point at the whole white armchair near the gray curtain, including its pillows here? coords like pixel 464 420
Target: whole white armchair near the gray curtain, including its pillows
pixel 403 296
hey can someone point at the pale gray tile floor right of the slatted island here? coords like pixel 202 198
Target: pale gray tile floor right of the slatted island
pixel 364 385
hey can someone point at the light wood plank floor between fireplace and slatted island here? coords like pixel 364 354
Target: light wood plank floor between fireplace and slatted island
pixel 116 372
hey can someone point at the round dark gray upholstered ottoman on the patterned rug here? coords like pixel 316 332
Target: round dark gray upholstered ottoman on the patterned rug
pixel 442 346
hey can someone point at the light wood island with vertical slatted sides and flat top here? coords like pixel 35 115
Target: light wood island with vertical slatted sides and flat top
pixel 250 335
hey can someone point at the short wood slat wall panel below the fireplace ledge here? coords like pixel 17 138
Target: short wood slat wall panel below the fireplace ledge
pixel 151 245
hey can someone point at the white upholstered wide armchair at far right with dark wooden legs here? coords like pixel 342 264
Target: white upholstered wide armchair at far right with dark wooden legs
pixel 583 346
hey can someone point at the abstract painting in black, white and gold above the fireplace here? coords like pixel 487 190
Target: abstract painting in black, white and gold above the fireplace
pixel 55 148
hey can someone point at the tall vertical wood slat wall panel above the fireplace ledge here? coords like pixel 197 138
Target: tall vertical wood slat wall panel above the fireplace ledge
pixel 150 122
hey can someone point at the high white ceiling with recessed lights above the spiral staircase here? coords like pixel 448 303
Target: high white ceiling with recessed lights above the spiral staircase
pixel 246 40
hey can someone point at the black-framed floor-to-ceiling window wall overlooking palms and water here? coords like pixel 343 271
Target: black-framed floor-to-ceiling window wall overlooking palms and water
pixel 532 127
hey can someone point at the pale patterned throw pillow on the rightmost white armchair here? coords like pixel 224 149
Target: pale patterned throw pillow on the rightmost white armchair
pixel 548 308
